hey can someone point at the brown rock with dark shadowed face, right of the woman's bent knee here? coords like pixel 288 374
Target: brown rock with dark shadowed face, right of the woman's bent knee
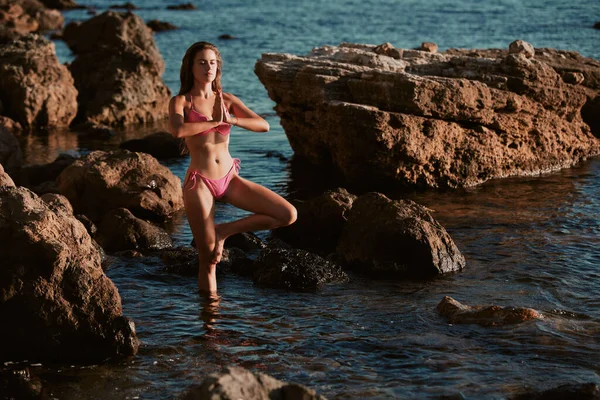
pixel 396 239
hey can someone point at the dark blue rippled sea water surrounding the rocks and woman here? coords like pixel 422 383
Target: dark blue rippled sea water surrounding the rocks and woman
pixel 531 242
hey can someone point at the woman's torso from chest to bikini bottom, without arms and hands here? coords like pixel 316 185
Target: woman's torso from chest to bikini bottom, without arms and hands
pixel 209 150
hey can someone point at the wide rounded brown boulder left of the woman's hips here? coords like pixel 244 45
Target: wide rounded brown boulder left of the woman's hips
pixel 102 181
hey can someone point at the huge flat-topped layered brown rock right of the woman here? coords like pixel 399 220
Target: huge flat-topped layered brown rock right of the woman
pixel 413 118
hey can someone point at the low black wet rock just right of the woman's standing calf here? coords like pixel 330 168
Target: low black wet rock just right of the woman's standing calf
pixel 295 269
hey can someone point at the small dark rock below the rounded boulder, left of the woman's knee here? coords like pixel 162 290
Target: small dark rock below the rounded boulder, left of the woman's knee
pixel 121 230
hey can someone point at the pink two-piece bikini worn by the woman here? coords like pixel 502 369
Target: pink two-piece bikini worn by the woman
pixel 217 187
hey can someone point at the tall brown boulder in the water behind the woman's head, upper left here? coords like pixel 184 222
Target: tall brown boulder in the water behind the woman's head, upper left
pixel 117 70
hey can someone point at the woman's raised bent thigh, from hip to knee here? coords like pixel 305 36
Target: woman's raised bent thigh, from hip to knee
pixel 257 199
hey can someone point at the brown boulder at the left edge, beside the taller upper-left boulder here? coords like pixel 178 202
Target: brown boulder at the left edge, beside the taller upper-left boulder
pixel 30 62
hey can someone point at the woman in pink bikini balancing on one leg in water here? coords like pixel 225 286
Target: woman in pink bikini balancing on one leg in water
pixel 202 114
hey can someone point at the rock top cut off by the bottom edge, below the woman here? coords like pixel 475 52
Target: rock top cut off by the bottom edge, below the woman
pixel 238 383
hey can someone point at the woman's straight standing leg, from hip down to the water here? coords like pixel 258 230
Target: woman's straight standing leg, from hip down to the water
pixel 200 208
